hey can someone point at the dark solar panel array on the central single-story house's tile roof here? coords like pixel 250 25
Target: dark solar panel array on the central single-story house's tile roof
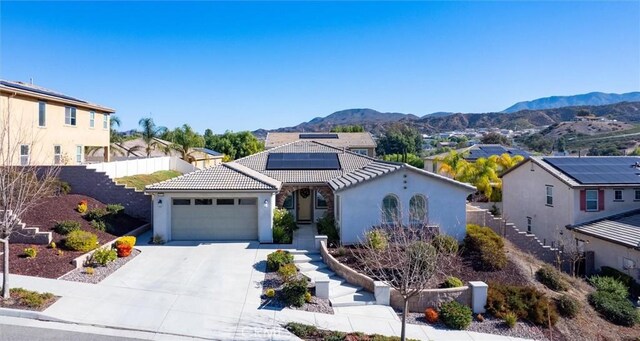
pixel 303 161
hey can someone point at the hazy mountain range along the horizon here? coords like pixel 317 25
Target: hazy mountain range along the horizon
pixel 539 112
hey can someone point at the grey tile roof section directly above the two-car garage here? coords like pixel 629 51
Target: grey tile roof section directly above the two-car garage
pixel 225 177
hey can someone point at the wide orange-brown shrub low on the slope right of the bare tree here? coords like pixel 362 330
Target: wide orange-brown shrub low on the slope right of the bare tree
pixel 526 302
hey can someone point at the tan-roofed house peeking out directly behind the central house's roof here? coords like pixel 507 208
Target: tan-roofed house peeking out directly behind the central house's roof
pixel 360 143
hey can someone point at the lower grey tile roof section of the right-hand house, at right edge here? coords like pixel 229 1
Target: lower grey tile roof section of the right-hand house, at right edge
pixel 623 229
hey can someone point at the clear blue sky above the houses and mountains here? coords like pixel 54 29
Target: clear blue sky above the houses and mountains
pixel 244 65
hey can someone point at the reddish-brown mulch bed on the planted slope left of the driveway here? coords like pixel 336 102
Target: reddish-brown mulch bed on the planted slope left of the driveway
pixel 49 263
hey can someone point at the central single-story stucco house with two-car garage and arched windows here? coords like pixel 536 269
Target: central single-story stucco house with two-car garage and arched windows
pixel 236 200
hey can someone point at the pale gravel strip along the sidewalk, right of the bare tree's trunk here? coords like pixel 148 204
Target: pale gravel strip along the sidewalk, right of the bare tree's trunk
pixel 490 325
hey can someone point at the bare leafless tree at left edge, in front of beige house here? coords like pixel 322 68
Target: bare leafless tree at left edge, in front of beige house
pixel 22 185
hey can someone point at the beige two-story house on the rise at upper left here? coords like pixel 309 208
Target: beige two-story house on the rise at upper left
pixel 45 127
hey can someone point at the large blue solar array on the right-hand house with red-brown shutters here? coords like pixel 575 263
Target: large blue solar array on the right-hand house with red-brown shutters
pixel 598 170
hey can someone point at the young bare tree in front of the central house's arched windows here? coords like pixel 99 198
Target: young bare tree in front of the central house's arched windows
pixel 403 257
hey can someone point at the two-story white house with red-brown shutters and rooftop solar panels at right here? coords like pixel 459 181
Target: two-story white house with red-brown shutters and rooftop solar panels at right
pixel 559 199
